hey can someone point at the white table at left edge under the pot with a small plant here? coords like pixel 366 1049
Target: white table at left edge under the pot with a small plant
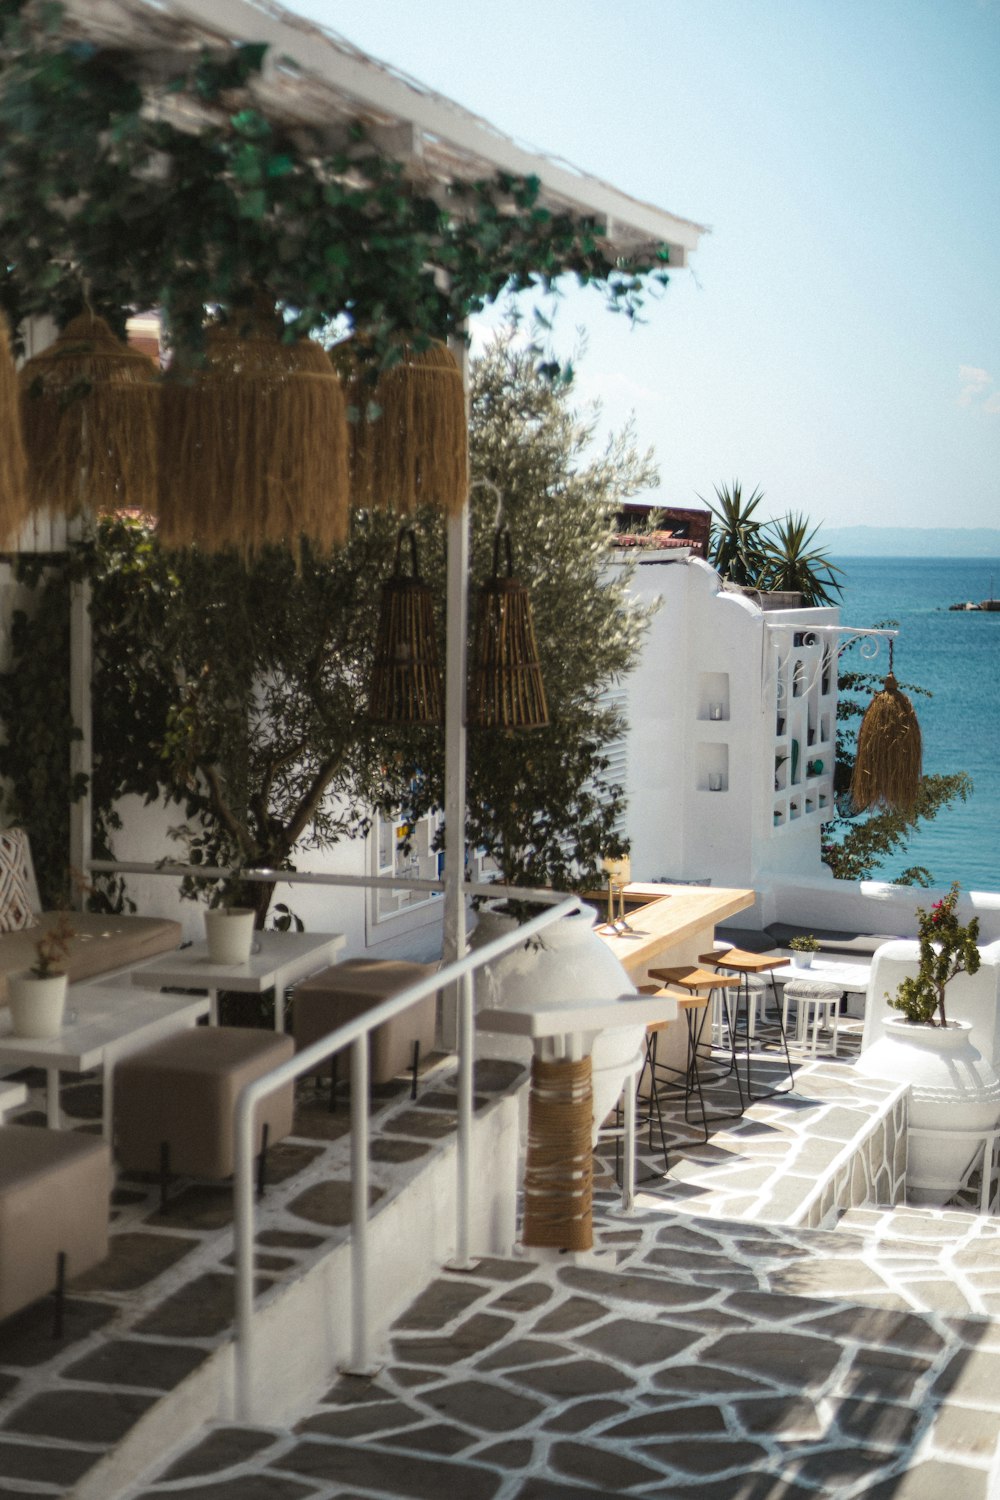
pixel 103 1025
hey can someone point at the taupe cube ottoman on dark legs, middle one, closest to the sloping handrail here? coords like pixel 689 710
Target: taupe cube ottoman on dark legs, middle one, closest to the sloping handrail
pixel 173 1102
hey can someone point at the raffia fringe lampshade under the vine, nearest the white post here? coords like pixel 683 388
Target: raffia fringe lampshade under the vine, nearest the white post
pixel 409 433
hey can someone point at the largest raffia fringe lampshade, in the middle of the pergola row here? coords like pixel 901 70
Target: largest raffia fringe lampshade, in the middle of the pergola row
pixel 254 446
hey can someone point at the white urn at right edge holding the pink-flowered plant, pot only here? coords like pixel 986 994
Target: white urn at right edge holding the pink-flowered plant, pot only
pixel 954 1091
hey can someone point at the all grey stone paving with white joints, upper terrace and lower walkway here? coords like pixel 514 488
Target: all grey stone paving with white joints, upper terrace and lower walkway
pixel 720 1348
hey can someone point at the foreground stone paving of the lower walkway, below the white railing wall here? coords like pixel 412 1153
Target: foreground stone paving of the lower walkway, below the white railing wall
pixel 666 1373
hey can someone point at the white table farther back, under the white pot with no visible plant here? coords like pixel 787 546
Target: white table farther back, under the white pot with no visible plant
pixel 278 962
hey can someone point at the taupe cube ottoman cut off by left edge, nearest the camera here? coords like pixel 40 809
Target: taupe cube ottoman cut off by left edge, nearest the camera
pixel 55 1190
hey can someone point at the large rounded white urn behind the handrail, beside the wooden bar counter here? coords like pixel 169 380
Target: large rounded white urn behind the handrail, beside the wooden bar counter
pixel 563 965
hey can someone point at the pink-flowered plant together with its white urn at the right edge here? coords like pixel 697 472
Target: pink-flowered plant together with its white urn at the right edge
pixel 954 1090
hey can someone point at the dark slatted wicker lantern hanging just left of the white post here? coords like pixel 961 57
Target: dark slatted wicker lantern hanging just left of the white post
pixel 407 679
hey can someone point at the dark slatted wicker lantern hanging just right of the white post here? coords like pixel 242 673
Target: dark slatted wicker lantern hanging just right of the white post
pixel 506 686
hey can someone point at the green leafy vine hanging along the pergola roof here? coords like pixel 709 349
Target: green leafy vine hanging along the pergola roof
pixel 98 191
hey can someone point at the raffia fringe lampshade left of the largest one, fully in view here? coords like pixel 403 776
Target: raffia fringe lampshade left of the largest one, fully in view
pixel 89 416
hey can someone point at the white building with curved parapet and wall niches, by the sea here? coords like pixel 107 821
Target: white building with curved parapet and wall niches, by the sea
pixel 722 692
